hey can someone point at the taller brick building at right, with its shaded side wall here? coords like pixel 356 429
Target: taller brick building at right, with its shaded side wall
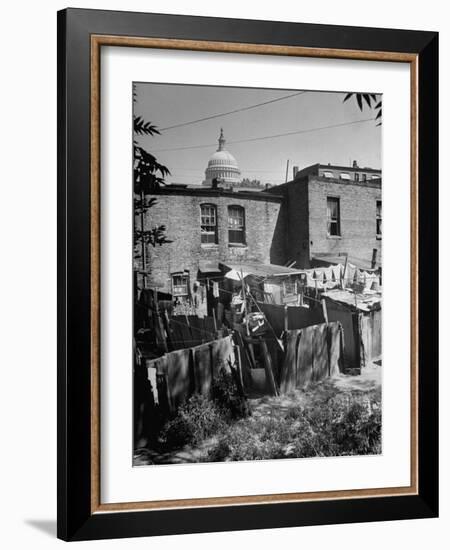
pixel 331 211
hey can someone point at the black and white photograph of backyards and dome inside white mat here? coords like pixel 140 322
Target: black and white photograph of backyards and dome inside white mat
pixel 257 273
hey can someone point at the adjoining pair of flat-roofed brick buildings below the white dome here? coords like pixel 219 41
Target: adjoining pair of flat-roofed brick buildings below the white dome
pixel 324 213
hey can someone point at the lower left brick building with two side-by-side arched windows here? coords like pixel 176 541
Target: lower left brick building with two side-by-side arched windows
pixel 208 226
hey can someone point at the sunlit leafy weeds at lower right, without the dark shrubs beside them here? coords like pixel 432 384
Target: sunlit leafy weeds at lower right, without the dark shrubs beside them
pixel 331 427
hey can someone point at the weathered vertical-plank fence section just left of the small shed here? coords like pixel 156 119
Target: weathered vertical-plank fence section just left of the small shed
pixel 311 354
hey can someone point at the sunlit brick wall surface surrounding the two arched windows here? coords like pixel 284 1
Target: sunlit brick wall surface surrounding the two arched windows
pixel 180 213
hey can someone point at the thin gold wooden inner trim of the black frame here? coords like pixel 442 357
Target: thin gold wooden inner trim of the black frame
pixel 97 41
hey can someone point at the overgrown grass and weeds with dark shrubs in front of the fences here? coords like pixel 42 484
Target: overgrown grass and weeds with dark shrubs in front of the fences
pixel 324 421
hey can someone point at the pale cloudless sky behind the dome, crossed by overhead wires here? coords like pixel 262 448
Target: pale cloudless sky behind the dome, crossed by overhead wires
pixel 185 150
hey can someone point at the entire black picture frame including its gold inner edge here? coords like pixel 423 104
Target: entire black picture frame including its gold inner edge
pixel 81 35
